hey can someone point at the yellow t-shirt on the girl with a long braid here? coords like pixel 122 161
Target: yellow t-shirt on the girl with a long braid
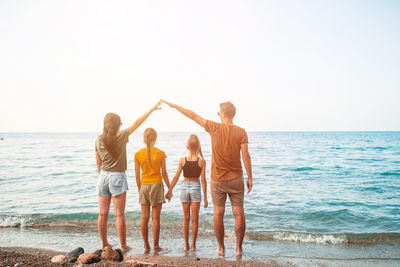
pixel 150 175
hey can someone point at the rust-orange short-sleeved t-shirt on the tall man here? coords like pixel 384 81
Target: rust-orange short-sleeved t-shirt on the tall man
pixel 226 141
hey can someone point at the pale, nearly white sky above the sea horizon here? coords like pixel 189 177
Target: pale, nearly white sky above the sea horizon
pixel 286 65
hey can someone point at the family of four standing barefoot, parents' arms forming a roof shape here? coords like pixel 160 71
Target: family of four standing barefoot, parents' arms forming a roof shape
pixel 229 143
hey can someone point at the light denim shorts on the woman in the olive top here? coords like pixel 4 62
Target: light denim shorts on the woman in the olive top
pixel 111 183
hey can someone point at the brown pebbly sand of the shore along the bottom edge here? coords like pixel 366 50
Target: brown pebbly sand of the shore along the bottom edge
pixel 9 256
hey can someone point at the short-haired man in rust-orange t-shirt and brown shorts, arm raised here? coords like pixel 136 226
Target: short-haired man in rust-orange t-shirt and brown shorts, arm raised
pixel 227 141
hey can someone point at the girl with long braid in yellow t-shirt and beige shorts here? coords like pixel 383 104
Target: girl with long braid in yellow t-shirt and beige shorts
pixel 151 161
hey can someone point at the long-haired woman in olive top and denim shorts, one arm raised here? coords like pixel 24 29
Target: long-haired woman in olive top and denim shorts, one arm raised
pixel 110 152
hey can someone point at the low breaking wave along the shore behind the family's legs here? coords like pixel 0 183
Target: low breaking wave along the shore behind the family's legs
pixel 87 222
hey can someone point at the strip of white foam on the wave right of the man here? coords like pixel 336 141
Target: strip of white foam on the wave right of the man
pixel 311 238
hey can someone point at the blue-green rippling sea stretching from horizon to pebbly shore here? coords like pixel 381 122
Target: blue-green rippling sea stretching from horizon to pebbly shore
pixel 318 198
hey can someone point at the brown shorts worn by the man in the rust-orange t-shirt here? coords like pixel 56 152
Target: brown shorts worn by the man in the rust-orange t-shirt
pixel 234 188
